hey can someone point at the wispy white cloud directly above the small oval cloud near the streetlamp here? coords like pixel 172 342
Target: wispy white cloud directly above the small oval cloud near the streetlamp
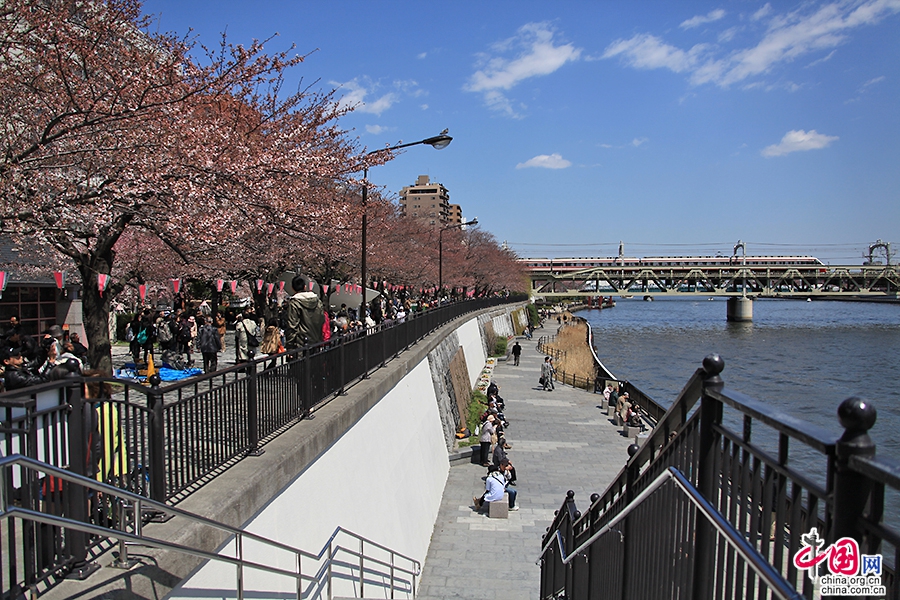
pixel 535 55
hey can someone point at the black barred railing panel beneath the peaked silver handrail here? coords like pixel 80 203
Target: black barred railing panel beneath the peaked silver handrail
pixel 665 571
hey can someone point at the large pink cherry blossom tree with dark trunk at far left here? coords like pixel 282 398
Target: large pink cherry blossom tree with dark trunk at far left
pixel 108 127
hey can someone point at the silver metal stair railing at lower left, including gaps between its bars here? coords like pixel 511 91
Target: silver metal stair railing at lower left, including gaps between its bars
pixel 315 574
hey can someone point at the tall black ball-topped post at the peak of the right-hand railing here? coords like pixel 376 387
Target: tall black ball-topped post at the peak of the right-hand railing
pixel 707 480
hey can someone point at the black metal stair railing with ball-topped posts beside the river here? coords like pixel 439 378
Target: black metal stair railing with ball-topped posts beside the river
pixel 772 476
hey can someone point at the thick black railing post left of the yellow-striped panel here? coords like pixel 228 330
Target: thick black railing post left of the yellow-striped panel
pixel 76 541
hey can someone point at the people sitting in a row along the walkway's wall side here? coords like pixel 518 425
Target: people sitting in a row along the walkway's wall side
pixel 501 474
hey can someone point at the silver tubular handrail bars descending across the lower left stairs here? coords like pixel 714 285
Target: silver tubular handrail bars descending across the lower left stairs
pixel 8 511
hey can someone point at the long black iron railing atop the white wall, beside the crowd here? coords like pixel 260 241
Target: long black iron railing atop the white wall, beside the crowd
pixel 164 441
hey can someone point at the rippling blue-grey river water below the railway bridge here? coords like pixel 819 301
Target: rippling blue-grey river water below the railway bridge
pixel 801 357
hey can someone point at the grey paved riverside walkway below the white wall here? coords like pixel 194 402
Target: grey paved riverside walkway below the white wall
pixel 560 441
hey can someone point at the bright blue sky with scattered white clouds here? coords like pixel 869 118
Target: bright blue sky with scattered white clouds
pixel 676 127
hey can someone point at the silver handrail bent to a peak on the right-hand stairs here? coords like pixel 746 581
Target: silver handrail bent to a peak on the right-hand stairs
pixel 756 561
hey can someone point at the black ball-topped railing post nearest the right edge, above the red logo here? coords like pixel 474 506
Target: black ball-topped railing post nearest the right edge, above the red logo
pixel 852 489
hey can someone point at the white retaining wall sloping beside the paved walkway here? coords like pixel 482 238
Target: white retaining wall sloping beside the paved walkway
pixel 383 479
